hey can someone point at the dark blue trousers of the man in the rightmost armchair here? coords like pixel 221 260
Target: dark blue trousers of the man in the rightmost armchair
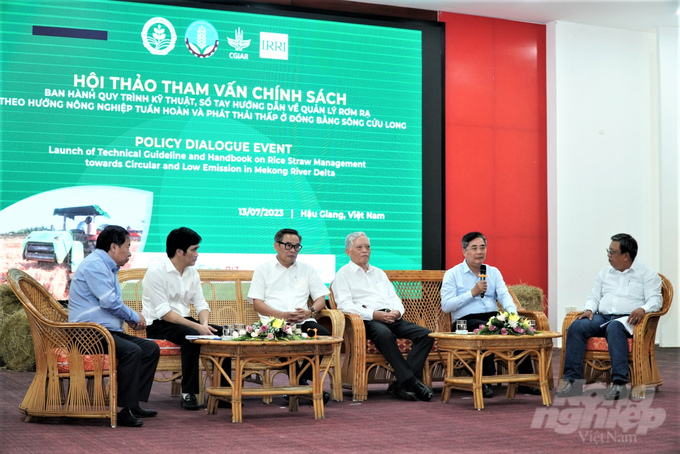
pixel 617 340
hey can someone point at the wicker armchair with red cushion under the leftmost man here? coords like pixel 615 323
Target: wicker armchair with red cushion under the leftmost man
pixel 72 377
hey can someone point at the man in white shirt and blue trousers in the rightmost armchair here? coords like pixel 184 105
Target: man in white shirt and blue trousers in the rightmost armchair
pixel 624 291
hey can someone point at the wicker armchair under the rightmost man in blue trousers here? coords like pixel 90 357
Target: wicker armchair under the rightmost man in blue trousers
pixel 642 352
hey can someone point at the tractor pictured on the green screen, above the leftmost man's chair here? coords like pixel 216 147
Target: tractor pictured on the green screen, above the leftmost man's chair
pixel 68 247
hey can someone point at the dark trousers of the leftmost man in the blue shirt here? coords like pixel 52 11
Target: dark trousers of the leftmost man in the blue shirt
pixel 137 360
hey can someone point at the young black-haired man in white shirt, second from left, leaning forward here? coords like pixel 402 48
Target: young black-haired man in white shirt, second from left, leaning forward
pixel 170 287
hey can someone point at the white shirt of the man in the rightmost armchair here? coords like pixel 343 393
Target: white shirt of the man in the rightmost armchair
pixel 620 293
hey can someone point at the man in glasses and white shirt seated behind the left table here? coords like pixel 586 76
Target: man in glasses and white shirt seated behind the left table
pixel 282 286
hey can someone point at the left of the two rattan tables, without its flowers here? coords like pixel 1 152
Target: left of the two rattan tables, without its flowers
pixel 271 353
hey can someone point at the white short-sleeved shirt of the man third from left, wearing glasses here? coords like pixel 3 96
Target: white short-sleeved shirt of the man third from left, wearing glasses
pixel 286 289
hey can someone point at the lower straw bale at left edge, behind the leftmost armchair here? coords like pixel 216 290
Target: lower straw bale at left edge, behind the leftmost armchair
pixel 16 342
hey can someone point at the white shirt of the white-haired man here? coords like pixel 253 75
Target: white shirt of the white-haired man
pixel 362 292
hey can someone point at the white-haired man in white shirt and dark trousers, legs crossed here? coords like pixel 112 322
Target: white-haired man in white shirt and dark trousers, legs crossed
pixel 362 289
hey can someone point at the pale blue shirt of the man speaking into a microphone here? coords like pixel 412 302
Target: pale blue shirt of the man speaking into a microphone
pixel 457 296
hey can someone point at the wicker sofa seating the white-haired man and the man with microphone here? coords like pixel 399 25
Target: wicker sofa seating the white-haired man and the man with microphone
pixel 420 292
